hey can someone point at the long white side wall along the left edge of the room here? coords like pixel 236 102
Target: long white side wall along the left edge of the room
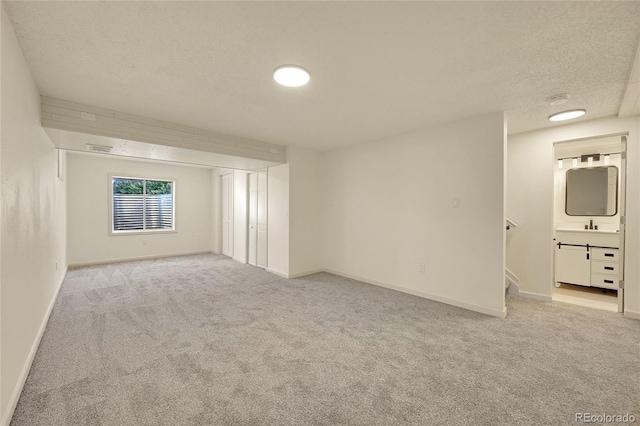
pixel 32 223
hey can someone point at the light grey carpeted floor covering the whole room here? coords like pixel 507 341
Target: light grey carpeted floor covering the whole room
pixel 204 340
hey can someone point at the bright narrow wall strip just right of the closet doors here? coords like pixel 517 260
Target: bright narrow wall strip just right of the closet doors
pixel 278 219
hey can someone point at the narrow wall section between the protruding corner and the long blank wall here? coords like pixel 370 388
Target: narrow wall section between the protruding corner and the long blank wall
pixel 306 197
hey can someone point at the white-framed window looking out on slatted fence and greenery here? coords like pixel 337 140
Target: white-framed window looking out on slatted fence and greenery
pixel 142 205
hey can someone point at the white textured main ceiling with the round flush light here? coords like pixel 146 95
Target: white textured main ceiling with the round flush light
pixel 377 68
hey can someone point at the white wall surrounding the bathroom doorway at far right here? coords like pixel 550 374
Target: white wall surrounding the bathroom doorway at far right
pixel 530 203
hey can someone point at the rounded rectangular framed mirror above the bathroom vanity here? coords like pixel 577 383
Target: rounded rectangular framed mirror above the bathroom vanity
pixel 592 191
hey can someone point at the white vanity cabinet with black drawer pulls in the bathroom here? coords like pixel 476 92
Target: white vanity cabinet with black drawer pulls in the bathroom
pixel 588 258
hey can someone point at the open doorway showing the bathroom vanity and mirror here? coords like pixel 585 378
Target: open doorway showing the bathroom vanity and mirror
pixel 589 222
